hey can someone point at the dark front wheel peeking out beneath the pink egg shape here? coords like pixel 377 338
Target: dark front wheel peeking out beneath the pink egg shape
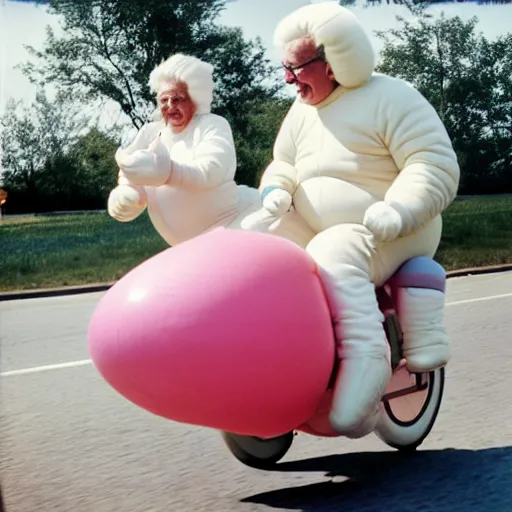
pixel 256 452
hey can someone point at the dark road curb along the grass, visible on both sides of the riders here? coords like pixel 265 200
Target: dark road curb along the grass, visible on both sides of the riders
pixel 101 287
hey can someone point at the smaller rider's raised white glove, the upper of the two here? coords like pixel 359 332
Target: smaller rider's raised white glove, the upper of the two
pixel 147 167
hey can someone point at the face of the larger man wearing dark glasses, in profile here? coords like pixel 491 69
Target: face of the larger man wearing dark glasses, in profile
pixel 310 74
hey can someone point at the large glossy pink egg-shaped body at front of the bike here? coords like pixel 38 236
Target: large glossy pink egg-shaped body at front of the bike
pixel 230 330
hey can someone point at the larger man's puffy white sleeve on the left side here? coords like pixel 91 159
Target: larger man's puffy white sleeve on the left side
pixel 281 173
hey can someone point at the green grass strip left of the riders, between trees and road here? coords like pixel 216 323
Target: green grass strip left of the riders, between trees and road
pixel 44 252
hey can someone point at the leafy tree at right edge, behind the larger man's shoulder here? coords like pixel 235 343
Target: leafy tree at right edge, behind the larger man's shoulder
pixel 468 80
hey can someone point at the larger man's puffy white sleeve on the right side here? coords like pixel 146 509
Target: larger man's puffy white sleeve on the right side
pixel 429 172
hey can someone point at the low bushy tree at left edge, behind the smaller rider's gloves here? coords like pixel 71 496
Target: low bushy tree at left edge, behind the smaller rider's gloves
pixel 54 158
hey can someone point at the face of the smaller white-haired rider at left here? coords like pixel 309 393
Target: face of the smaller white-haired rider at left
pixel 176 106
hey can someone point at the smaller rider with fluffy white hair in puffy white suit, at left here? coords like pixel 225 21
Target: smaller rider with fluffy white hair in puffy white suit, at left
pixel 182 166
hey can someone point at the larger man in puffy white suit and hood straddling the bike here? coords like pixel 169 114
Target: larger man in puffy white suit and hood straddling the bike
pixel 364 164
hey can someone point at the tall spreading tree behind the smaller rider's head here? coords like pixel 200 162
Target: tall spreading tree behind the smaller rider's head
pixel 109 48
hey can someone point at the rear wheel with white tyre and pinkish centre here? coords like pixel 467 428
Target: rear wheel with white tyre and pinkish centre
pixel 408 415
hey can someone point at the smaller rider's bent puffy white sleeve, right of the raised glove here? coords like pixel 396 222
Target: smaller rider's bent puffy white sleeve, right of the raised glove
pixel 214 157
